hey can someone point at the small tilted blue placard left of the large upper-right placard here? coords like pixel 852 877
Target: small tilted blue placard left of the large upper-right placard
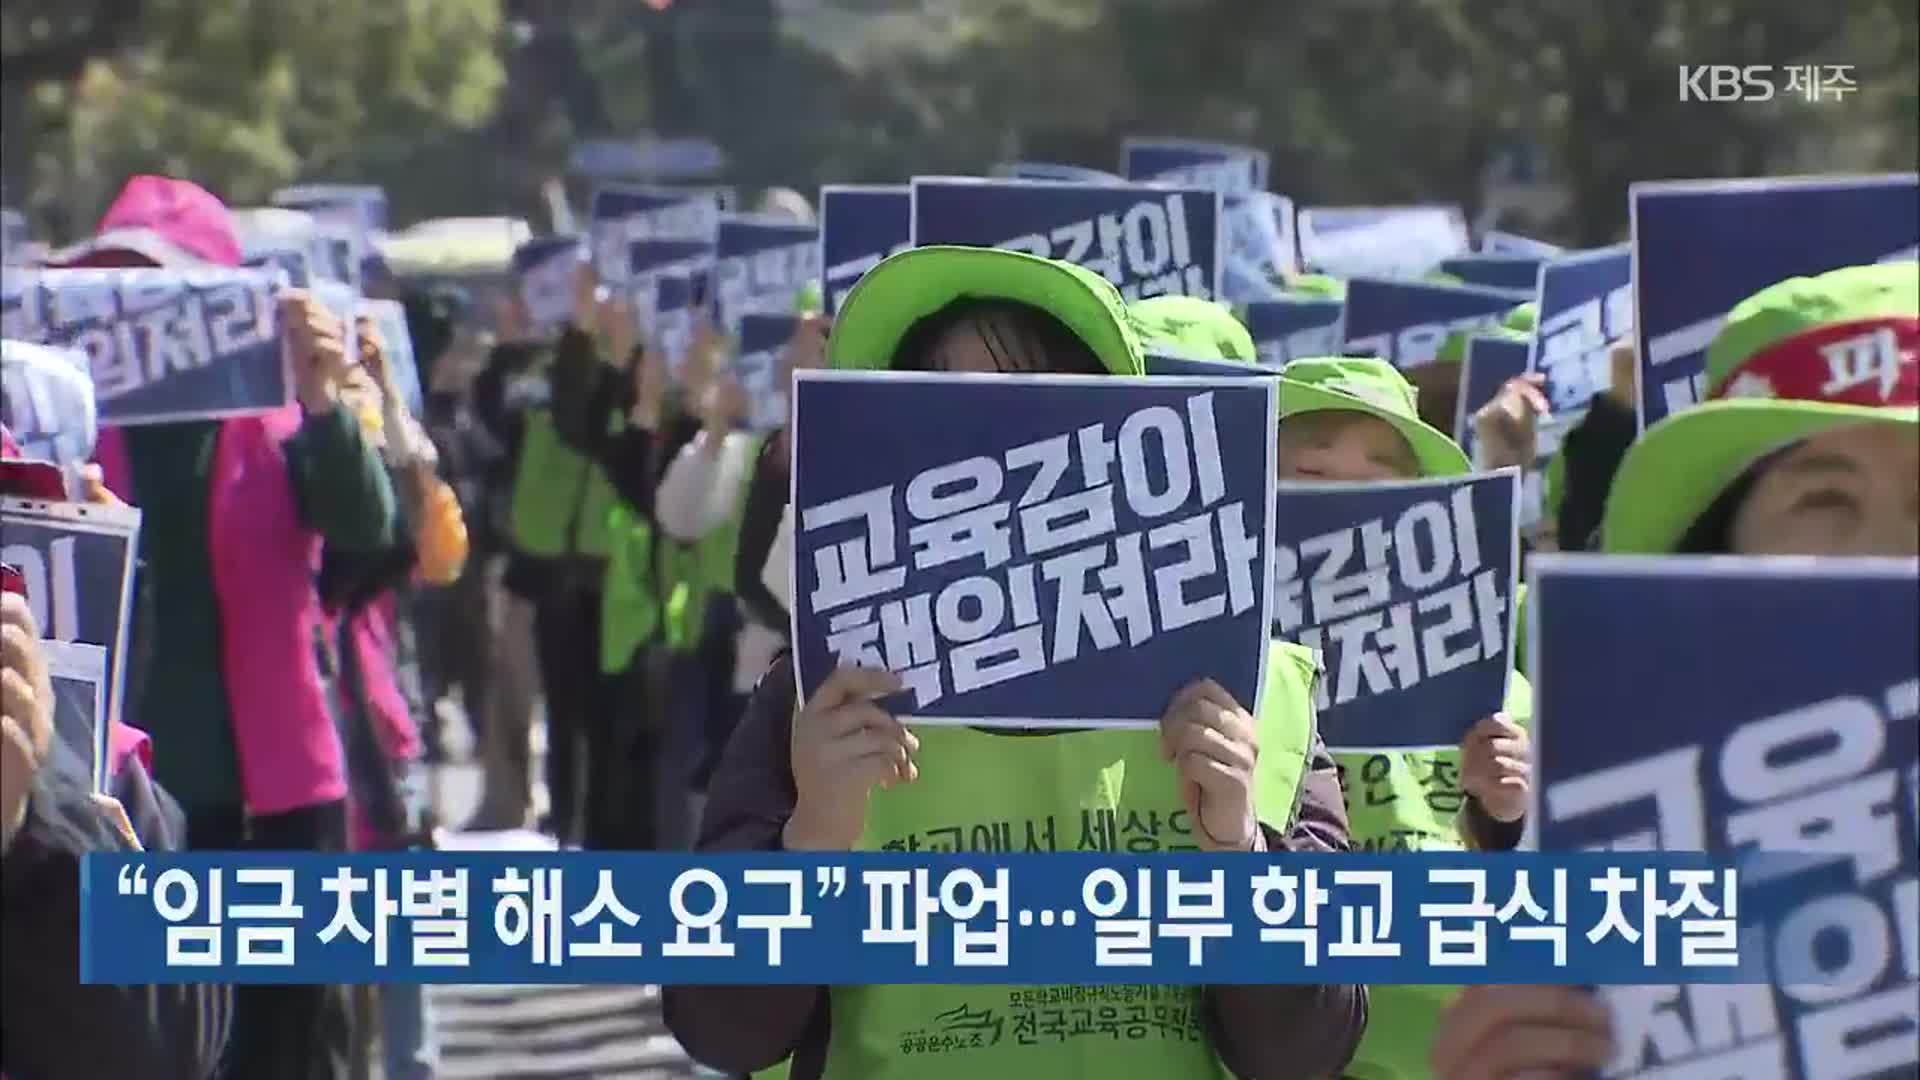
pixel 1587 303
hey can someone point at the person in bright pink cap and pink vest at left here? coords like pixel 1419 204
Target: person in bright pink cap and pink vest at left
pixel 233 516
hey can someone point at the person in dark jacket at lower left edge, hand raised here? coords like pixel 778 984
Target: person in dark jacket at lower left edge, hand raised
pixel 55 1027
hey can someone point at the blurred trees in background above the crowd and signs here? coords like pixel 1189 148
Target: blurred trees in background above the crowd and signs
pixel 1537 110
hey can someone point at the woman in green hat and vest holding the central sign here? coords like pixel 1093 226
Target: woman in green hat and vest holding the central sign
pixel 842 773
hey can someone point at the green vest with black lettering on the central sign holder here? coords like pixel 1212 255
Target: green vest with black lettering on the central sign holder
pixel 1076 791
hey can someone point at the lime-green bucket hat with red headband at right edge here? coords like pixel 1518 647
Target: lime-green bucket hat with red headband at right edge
pixel 1773 381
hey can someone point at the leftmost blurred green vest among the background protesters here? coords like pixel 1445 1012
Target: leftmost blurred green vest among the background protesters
pixel 562 501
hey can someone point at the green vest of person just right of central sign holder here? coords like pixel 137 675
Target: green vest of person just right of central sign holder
pixel 1408 802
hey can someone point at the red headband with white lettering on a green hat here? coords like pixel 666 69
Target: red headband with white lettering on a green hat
pixel 1869 362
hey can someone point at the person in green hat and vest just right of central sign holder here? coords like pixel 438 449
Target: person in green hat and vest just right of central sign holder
pixel 1355 422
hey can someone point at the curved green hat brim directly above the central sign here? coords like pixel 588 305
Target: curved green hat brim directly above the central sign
pixel 909 287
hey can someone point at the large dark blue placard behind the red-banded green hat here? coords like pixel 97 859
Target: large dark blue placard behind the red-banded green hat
pixel 1702 247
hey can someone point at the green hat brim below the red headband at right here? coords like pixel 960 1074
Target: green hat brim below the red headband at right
pixel 1685 462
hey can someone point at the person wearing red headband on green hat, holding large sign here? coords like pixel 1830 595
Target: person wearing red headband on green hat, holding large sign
pixel 1806 445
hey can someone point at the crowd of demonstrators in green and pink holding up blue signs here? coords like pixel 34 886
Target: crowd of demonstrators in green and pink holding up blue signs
pixel 583 522
